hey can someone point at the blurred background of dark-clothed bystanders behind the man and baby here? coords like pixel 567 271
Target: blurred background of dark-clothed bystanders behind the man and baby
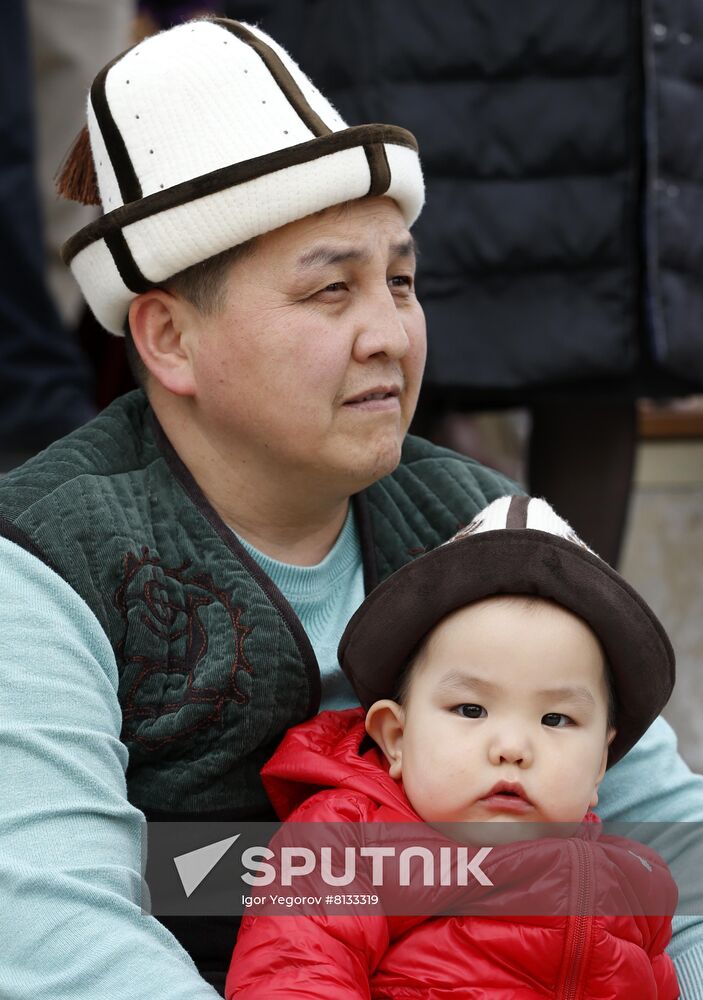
pixel 561 247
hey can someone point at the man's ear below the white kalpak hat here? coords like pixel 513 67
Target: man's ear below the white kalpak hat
pixel 159 321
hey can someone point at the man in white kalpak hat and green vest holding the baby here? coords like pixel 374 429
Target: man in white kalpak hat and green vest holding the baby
pixel 175 577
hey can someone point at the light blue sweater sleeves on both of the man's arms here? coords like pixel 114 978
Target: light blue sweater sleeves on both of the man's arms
pixel 70 921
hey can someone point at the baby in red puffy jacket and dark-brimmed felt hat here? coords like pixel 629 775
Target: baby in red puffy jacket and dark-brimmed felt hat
pixel 519 667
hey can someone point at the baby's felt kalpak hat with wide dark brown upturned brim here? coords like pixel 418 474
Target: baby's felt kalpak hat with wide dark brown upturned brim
pixel 517 545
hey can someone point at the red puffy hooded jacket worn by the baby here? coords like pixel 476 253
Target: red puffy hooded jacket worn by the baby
pixel 317 774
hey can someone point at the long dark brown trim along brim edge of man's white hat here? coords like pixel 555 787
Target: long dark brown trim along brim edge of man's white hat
pixel 230 176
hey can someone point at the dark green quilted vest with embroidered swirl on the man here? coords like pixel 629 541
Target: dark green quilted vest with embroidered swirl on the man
pixel 213 664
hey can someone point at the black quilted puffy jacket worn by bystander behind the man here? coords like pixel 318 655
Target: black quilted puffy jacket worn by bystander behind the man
pixel 562 143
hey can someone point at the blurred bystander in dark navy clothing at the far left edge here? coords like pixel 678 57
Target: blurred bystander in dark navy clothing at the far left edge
pixel 45 389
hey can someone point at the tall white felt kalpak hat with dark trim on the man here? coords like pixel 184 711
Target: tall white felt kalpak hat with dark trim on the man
pixel 205 136
